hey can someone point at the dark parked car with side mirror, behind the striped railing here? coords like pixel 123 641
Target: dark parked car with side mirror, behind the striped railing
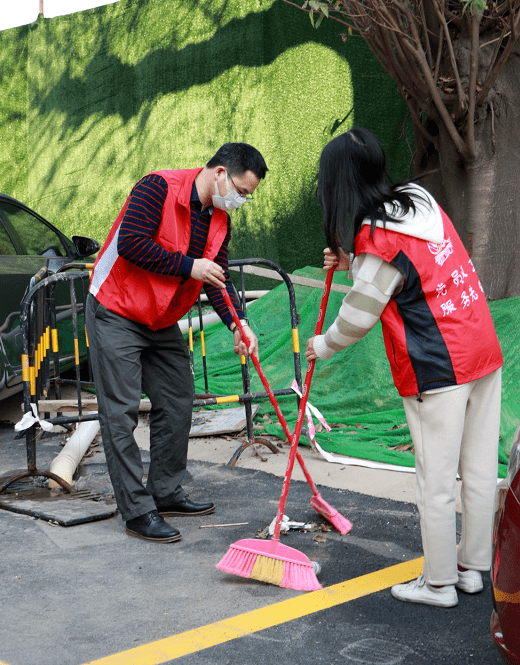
pixel 28 243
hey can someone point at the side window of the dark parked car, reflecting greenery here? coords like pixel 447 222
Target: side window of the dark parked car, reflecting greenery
pixel 32 235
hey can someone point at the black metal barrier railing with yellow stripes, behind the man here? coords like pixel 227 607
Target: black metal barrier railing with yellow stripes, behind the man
pixel 43 362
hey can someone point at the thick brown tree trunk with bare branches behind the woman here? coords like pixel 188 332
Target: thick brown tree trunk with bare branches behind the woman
pixel 458 69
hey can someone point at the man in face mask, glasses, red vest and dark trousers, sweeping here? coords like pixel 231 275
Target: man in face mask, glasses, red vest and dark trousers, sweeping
pixel 169 239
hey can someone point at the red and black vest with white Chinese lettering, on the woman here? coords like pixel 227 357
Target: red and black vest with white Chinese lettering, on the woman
pixel 438 330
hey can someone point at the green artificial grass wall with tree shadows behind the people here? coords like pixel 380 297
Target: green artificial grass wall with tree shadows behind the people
pixel 110 94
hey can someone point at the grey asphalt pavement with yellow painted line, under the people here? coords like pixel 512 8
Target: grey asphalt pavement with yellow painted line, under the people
pixel 85 593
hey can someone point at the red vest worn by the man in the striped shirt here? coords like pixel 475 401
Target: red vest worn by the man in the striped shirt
pixel 150 298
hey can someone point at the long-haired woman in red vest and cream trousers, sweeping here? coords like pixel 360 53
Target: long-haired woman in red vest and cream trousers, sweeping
pixel 410 270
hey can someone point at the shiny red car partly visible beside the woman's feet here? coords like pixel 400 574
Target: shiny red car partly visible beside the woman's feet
pixel 505 571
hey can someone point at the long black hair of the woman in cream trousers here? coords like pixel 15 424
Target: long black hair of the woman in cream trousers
pixel 353 184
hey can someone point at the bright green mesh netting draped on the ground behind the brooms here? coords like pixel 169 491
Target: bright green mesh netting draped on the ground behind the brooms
pixel 354 389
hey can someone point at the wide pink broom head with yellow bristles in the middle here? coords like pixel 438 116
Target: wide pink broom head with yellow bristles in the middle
pixel 269 561
